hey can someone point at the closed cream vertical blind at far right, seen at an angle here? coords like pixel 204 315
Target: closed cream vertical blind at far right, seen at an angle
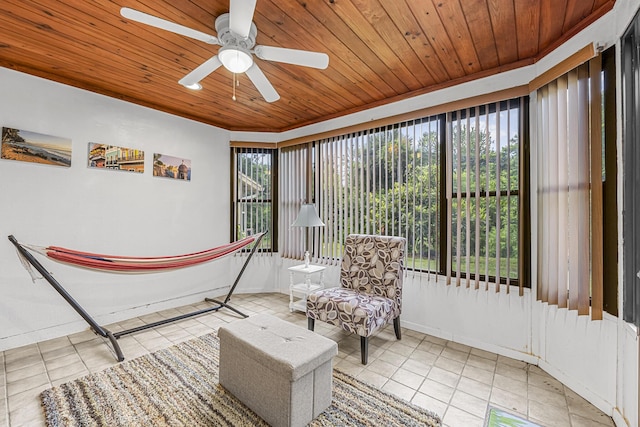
pixel 569 171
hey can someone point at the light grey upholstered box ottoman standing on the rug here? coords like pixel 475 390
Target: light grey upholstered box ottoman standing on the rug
pixel 281 371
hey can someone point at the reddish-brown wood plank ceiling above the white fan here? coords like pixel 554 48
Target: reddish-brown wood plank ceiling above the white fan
pixel 380 51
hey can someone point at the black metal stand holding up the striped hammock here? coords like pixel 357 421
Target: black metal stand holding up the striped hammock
pixel 113 336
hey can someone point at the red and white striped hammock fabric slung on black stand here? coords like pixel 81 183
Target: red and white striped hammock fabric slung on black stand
pixel 140 264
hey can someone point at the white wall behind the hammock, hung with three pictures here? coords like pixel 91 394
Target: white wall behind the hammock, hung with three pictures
pixel 105 211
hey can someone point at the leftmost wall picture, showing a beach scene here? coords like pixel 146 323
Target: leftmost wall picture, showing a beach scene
pixel 26 146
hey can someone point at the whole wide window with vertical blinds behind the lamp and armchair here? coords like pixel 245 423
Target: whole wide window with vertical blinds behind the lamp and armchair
pixel 449 183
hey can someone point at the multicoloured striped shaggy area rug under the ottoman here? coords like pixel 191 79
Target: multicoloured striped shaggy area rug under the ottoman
pixel 179 387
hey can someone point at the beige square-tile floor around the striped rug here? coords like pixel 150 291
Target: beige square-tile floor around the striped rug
pixel 456 381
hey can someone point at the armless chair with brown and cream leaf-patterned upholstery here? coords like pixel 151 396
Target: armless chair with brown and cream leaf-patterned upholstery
pixel 370 295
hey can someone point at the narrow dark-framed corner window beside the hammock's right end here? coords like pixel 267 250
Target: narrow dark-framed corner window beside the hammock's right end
pixel 254 194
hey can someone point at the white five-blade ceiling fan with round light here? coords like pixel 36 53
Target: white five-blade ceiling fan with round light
pixel 237 38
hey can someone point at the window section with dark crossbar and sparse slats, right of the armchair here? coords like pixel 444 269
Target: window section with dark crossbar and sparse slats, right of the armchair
pixel 484 153
